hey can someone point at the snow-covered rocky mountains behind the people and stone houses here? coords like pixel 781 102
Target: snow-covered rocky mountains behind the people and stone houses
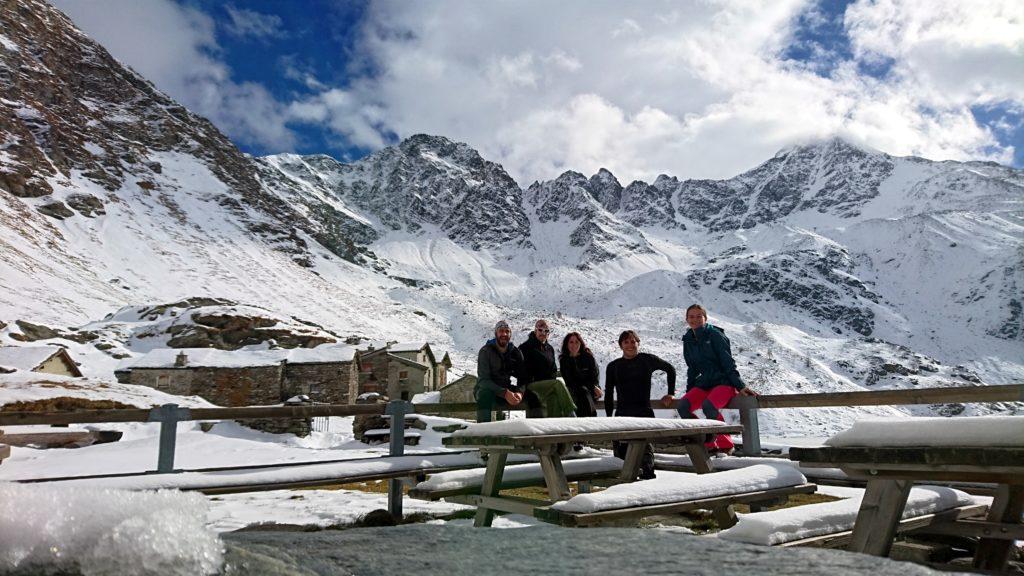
pixel 832 267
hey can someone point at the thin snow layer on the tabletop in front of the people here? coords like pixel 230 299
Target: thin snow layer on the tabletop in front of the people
pixel 541 427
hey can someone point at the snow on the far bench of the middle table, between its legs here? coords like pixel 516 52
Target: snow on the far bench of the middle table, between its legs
pixel 467 482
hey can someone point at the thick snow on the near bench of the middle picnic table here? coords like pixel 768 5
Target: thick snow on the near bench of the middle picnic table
pixel 679 487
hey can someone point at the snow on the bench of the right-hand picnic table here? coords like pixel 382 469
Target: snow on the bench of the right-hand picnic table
pixel 790 526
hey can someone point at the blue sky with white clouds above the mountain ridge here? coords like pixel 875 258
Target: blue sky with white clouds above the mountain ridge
pixel 693 90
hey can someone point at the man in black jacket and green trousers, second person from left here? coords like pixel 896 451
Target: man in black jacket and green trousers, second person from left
pixel 546 396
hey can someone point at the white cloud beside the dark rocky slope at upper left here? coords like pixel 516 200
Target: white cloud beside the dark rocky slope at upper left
pixel 176 48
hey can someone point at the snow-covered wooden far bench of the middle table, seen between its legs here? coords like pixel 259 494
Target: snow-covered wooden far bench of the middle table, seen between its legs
pixel 608 470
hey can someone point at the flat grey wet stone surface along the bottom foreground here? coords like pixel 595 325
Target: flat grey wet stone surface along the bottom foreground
pixel 459 551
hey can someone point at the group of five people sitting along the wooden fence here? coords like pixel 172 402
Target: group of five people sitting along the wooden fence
pixel 712 378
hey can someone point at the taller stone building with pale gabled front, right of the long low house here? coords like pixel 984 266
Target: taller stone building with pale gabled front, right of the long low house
pixel 402 371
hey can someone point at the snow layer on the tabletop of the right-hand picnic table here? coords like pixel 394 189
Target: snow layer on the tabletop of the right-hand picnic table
pixel 966 431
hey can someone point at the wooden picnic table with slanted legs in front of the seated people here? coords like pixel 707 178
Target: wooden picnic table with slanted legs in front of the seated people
pixel 551 447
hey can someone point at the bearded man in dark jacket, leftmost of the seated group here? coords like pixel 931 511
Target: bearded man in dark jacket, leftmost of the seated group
pixel 497 363
